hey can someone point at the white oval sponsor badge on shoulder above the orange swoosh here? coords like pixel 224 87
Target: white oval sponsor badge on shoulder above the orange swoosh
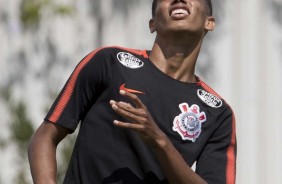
pixel 129 60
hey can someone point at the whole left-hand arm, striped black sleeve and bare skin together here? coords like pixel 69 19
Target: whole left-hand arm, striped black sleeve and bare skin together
pixel 71 105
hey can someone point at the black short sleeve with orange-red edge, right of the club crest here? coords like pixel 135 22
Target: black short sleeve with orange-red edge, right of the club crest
pixel 217 162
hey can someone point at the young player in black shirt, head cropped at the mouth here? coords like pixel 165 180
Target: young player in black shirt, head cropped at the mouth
pixel 145 117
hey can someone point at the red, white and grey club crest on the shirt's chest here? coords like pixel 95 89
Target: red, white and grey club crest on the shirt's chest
pixel 189 123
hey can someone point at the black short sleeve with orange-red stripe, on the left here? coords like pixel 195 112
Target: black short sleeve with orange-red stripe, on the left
pixel 80 91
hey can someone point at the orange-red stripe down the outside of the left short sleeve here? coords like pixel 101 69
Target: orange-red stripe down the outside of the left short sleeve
pixel 67 93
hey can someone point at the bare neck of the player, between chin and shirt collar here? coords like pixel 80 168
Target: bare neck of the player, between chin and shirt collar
pixel 176 57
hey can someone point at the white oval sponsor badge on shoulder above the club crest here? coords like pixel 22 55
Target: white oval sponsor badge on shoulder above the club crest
pixel 209 99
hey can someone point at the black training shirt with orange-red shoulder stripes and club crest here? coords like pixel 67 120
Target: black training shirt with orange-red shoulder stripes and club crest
pixel 196 119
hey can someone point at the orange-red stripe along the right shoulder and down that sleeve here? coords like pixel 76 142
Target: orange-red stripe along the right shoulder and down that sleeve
pixel 230 153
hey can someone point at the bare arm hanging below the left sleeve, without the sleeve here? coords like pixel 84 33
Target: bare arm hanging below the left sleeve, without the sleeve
pixel 42 152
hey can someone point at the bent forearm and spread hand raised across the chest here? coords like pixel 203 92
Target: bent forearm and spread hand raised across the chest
pixel 172 163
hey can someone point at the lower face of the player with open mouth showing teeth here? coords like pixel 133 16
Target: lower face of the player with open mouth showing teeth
pixel 177 16
